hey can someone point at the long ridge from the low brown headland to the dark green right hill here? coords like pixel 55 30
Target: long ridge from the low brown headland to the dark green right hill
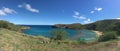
pixel 102 25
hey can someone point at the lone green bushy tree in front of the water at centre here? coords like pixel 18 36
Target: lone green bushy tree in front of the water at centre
pixel 59 34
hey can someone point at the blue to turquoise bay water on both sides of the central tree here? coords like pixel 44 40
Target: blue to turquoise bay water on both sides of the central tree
pixel 45 30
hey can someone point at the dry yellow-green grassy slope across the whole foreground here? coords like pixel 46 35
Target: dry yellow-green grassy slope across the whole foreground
pixel 14 41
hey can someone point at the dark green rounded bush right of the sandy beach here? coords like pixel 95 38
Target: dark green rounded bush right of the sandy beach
pixel 108 36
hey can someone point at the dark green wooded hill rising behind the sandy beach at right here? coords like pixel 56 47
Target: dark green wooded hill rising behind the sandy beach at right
pixel 105 25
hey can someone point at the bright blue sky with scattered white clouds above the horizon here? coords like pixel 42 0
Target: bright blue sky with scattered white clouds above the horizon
pixel 50 12
